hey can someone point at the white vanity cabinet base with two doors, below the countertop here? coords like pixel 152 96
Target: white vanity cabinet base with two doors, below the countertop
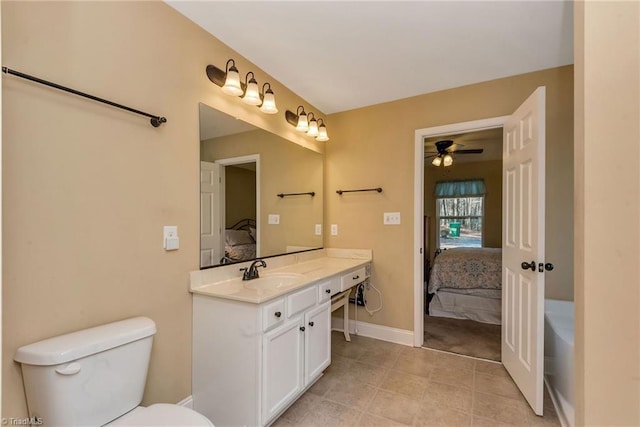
pixel 251 361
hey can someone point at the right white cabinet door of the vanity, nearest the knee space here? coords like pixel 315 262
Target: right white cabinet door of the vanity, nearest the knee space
pixel 317 341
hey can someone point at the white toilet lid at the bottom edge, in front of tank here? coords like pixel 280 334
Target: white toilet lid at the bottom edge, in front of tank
pixel 162 414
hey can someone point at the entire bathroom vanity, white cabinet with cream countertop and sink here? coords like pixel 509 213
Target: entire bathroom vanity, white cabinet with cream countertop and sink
pixel 259 344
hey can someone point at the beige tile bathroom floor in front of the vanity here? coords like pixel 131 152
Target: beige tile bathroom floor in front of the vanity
pixel 376 383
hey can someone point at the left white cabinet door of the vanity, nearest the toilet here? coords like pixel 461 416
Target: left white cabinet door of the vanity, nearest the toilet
pixel 282 367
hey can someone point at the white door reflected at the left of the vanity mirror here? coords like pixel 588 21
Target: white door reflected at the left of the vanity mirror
pixel 210 221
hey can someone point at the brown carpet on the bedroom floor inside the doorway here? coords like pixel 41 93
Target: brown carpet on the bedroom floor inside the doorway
pixel 465 337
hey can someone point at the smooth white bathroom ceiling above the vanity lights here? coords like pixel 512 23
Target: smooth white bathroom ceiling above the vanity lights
pixel 341 55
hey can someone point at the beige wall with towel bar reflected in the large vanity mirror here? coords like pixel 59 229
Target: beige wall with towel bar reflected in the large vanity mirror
pixel 284 168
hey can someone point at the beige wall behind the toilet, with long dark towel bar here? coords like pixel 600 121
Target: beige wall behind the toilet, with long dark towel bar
pixel 87 188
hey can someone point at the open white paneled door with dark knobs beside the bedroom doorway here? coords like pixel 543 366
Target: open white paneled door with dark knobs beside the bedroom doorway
pixel 523 247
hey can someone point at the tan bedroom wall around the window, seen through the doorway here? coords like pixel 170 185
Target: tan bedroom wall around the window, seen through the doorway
pixel 491 173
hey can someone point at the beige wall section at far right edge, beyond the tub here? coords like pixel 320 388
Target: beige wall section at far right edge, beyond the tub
pixel 607 289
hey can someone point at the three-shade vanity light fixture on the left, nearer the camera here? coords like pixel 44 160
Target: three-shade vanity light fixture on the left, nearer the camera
pixel 229 81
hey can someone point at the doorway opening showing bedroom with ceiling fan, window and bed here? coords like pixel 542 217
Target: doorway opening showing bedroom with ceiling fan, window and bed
pixel 462 241
